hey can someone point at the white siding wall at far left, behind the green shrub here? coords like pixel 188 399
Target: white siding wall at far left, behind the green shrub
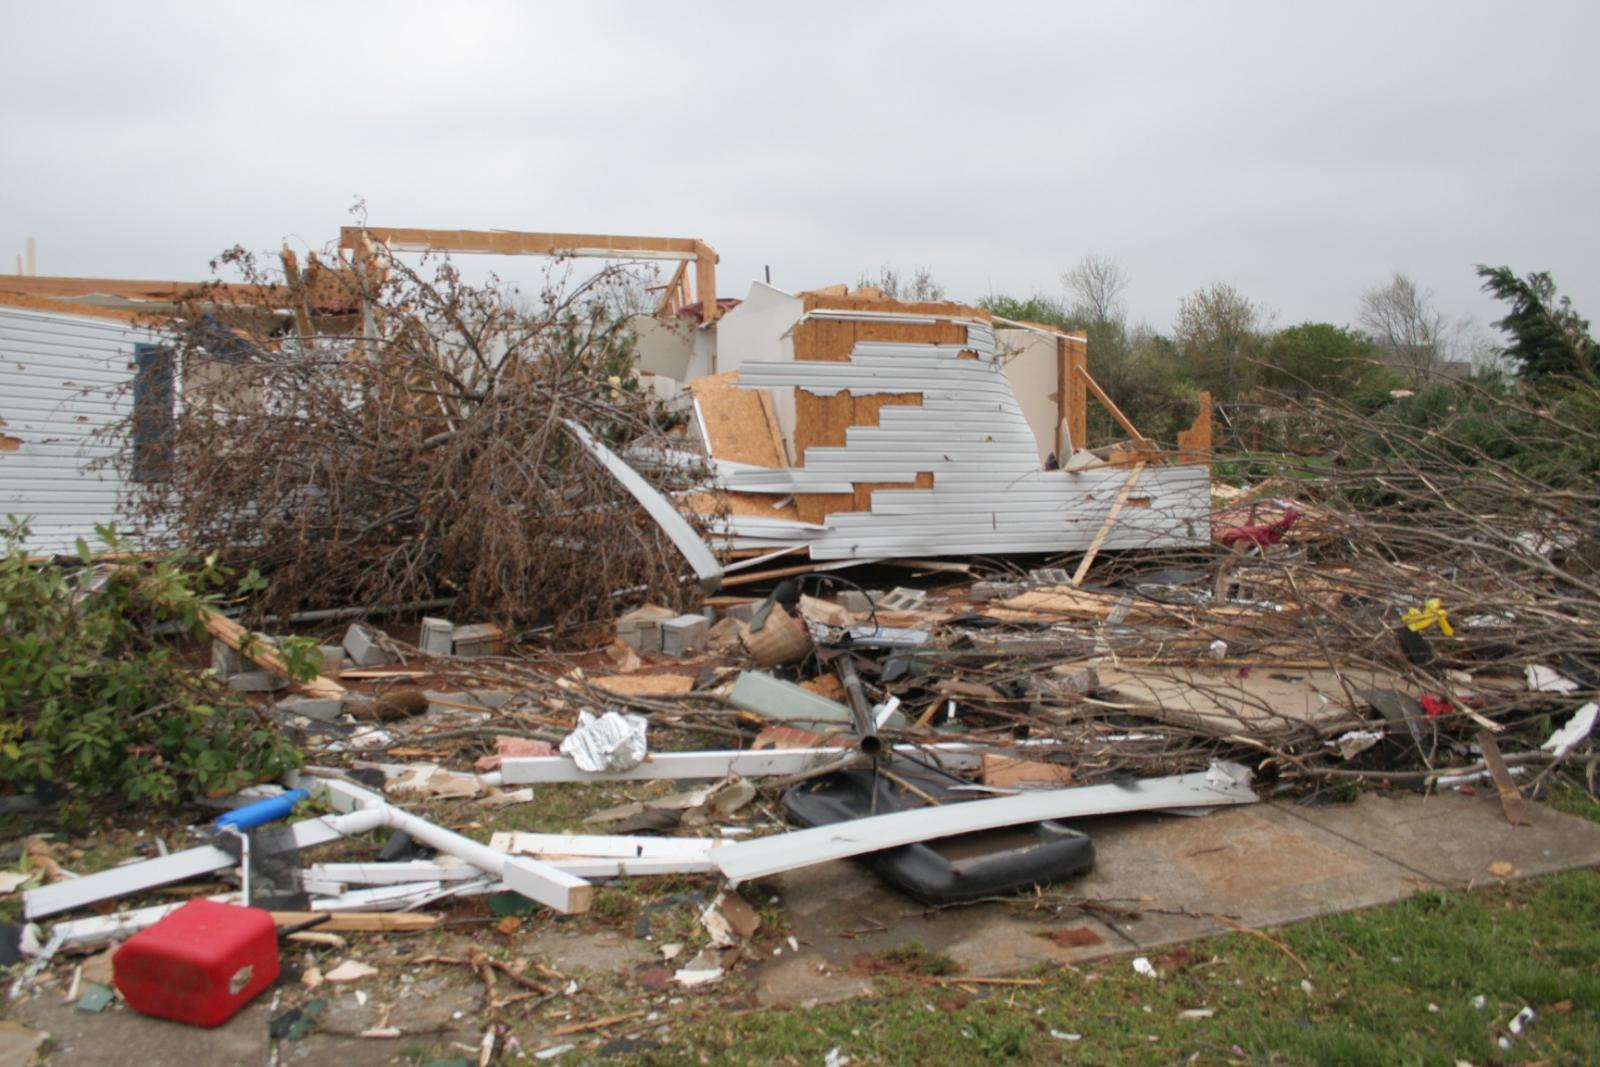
pixel 63 378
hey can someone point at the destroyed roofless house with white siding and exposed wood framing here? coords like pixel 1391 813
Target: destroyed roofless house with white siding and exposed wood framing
pixel 838 425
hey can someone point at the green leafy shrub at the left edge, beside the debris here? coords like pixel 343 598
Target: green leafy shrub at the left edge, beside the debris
pixel 97 708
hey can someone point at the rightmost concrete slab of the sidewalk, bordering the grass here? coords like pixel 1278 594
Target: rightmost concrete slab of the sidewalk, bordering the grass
pixel 1454 839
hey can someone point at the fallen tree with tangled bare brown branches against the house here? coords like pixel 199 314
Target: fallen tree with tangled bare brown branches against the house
pixel 428 454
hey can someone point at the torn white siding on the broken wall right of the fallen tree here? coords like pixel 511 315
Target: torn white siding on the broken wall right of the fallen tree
pixel 990 490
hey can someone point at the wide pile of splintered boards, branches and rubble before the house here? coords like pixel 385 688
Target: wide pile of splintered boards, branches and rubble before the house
pixel 926 717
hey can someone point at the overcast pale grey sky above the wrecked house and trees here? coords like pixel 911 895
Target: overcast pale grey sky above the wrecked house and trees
pixel 1297 151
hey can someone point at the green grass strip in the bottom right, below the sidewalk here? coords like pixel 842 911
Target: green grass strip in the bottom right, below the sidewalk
pixel 1390 986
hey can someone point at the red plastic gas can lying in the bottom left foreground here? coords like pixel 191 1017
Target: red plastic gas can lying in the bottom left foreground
pixel 201 964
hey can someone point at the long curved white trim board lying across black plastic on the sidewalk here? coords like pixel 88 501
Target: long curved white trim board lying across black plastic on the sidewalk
pixel 1223 785
